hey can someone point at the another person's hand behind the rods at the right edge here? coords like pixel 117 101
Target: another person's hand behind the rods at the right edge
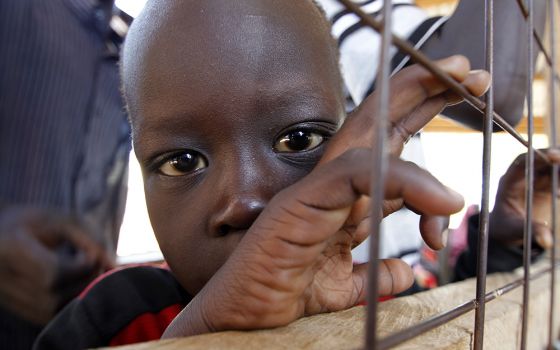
pixel 507 220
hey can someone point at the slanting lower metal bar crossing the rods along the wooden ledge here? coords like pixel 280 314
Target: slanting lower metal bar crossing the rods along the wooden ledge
pixel 447 316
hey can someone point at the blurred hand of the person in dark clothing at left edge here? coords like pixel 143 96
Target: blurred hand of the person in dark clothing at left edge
pixel 45 260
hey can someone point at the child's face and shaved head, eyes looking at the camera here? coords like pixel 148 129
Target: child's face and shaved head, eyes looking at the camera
pixel 231 101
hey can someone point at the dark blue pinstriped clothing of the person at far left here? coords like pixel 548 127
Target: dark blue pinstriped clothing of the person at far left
pixel 64 137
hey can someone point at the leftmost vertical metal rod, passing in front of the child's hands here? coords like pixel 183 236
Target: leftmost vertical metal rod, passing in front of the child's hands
pixel 379 165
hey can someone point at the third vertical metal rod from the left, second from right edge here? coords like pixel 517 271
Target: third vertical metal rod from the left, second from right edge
pixel 529 167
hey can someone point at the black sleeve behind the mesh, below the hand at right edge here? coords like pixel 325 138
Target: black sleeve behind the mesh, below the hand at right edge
pixel 501 258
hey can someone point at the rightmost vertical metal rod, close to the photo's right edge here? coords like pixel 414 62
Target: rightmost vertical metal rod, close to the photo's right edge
pixel 554 144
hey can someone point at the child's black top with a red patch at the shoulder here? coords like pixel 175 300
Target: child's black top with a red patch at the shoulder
pixel 128 306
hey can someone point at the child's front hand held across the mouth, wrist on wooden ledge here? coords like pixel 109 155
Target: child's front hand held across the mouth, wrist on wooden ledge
pixel 296 258
